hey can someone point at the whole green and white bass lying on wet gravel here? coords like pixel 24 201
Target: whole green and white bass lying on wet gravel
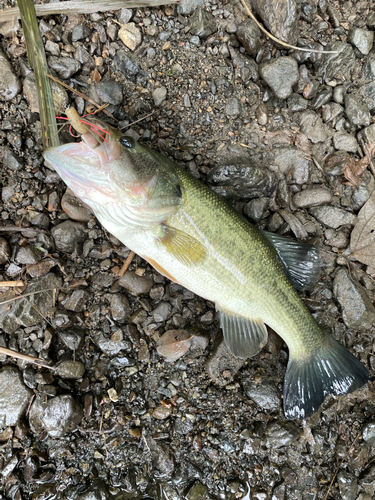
pixel 193 237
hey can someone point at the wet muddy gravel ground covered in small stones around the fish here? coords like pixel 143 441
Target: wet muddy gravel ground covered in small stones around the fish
pixel 114 418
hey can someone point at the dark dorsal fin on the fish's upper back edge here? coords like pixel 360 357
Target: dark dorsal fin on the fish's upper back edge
pixel 302 261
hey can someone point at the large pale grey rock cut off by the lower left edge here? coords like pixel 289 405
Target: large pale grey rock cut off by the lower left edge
pixel 14 396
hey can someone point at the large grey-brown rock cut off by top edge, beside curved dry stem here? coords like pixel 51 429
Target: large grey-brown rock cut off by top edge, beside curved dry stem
pixel 280 17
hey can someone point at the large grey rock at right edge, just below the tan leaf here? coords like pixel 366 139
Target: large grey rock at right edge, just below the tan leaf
pixel 356 306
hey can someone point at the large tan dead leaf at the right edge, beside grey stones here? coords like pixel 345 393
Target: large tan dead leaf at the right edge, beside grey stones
pixel 362 239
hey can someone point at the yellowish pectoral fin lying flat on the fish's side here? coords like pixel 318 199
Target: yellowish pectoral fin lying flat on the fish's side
pixel 182 246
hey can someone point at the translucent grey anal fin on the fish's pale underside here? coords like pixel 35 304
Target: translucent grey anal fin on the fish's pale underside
pixel 244 337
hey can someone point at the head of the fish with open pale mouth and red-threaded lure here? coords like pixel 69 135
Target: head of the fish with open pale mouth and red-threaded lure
pixel 114 169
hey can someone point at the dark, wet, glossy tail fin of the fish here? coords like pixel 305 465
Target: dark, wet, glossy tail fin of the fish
pixel 331 369
